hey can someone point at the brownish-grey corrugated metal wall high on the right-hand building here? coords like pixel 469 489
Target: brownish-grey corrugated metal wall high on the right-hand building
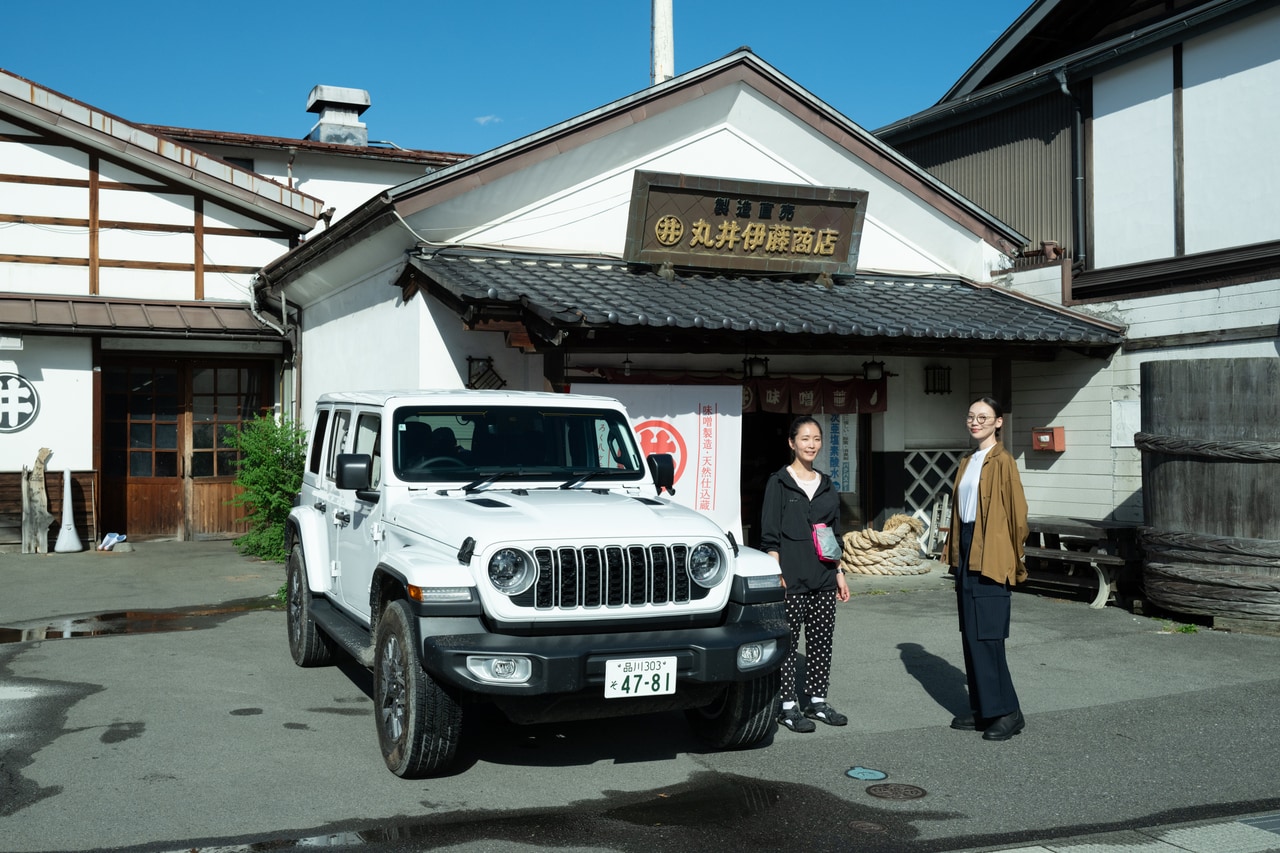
pixel 1016 165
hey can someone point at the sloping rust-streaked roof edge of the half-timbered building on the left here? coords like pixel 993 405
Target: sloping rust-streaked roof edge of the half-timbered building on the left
pixel 109 134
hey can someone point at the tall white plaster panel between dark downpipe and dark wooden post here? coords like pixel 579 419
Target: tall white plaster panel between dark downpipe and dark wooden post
pixel 1132 183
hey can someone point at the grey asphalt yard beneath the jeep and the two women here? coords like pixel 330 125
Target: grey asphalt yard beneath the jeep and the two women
pixel 196 732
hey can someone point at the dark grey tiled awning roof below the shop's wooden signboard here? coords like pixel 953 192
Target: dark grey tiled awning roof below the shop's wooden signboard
pixel 573 293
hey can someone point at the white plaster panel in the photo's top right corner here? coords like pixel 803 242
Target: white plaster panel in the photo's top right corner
pixel 1231 80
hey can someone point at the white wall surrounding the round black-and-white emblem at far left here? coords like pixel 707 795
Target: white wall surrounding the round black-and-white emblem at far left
pixel 62 371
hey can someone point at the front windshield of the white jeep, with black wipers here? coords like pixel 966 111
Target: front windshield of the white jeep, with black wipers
pixel 491 444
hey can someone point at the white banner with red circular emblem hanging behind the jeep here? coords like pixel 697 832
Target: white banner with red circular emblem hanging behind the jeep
pixel 702 428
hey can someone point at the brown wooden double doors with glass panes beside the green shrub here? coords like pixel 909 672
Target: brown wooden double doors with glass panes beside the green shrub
pixel 168 467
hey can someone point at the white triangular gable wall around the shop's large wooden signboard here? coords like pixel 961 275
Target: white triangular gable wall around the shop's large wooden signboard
pixel 579 203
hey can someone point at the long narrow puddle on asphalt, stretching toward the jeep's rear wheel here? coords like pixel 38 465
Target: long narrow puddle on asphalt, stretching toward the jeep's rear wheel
pixel 134 622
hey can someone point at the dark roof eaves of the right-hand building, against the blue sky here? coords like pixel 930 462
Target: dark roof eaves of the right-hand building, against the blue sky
pixel 964 98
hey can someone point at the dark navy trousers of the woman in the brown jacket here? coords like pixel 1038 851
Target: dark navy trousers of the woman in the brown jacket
pixel 984 606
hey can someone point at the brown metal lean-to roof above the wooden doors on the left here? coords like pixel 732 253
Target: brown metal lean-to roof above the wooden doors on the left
pixel 103 316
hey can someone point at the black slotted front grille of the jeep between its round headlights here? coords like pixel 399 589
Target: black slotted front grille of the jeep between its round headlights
pixel 611 577
